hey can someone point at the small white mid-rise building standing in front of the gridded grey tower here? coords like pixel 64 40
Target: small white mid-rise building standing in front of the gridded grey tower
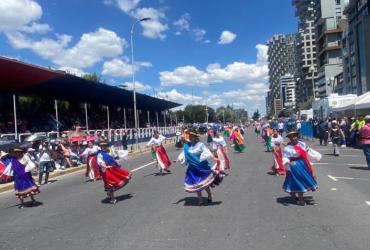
pixel 287 92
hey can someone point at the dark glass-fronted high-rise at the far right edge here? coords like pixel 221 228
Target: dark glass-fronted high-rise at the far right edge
pixel 356 49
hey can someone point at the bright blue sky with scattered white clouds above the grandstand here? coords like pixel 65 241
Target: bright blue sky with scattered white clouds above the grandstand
pixel 211 48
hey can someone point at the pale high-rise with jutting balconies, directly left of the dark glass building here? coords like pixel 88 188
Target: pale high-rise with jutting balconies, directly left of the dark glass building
pixel 328 24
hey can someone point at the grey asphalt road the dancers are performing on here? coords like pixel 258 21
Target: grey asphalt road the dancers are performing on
pixel 250 210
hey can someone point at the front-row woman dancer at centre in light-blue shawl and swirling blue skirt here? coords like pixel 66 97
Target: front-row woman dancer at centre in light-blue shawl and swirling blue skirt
pixel 199 174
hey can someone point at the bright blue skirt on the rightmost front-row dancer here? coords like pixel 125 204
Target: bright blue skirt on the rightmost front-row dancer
pixel 299 179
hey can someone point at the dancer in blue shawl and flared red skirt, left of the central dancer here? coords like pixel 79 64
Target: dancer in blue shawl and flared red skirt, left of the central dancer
pixel 114 176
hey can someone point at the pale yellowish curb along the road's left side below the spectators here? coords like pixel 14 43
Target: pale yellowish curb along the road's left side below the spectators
pixel 9 186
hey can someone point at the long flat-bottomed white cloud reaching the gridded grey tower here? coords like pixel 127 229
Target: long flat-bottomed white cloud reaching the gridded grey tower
pixel 240 72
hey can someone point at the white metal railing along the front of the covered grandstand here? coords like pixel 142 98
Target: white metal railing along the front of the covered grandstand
pixel 143 134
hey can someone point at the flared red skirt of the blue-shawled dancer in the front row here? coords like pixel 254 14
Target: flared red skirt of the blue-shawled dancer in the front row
pixel 115 178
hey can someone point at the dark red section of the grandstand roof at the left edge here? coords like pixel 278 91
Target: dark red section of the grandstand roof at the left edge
pixel 16 75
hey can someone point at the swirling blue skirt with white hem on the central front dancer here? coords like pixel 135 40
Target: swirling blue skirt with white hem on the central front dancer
pixel 197 179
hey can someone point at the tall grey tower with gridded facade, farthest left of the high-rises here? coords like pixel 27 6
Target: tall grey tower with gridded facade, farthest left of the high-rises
pixel 281 60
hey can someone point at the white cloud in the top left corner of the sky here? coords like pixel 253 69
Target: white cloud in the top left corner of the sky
pixel 17 13
